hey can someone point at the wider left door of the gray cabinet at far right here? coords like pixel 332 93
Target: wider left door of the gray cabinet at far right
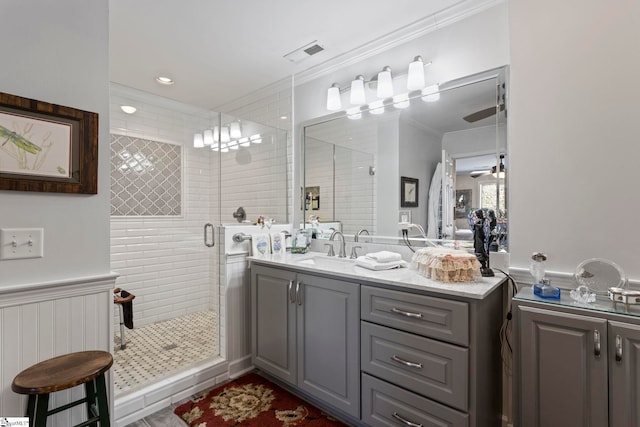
pixel 563 369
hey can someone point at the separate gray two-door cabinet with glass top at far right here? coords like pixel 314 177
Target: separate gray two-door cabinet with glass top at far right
pixel 575 366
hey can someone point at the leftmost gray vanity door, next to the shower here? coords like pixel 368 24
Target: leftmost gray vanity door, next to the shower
pixel 273 311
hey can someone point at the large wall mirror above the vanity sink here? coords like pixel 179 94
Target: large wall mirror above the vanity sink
pixel 431 161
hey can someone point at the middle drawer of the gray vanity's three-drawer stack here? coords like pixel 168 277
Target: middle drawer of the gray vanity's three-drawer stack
pixel 431 368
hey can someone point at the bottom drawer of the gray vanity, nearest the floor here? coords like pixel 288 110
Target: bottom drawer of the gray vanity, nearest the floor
pixel 384 404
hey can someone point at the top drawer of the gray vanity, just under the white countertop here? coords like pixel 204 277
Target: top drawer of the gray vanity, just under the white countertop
pixel 432 317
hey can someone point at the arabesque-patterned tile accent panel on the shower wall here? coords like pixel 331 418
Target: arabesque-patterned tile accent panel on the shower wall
pixel 146 177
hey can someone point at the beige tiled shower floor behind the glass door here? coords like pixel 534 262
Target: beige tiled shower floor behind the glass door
pixel 160 349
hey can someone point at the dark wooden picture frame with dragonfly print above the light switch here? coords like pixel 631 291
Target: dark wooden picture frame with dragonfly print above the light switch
pixel 47 147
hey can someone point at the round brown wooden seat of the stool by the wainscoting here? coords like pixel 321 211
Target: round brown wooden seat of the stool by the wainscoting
pixel 62 372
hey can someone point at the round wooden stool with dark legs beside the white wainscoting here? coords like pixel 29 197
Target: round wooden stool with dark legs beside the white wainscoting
pixel 61 373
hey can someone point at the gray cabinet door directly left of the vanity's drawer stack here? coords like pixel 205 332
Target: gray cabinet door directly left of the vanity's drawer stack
pixel 329 341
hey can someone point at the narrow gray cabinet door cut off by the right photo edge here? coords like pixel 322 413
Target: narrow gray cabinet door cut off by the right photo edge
pixel 624 371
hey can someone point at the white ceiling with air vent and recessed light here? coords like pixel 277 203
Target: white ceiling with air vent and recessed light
pixel 218 51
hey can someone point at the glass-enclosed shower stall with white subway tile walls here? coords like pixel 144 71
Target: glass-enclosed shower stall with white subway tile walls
pixel 178 175
